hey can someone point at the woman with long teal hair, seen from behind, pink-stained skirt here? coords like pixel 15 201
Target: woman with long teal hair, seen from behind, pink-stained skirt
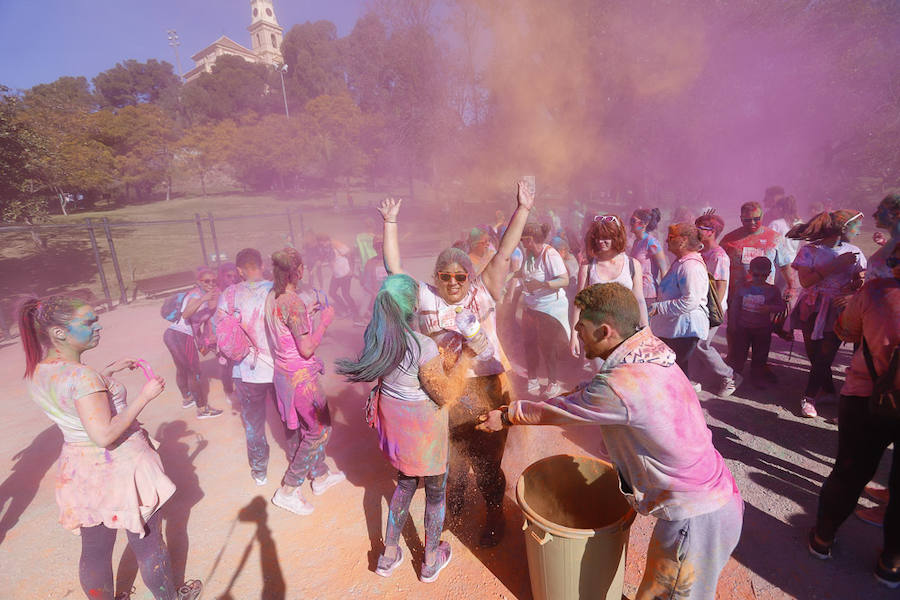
pixel 409 416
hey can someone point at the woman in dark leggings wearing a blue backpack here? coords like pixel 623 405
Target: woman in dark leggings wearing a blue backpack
pixel 179 339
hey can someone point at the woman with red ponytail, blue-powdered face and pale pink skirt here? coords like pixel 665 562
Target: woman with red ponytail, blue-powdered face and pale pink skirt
pixel 110 477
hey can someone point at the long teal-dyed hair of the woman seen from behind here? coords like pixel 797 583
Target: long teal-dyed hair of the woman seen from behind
pixel 388 334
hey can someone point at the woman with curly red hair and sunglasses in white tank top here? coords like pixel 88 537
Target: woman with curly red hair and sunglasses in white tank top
pixel 607 262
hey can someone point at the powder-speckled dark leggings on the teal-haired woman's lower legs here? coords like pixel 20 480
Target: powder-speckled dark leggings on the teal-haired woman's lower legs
pixel 435 508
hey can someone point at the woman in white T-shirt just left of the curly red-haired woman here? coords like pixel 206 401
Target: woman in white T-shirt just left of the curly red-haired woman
pixel 545 318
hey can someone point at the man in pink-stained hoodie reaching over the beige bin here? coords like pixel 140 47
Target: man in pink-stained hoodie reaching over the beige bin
pixel 654 432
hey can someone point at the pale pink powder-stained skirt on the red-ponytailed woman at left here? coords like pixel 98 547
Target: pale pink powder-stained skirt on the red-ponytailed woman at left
pixel 120 488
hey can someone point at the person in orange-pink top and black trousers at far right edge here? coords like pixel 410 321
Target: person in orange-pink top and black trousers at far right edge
pixel 872 320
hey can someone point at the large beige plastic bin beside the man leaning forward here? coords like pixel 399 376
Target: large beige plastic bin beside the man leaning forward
pixel 576 528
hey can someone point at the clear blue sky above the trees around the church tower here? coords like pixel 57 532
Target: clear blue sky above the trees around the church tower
pixel 42 40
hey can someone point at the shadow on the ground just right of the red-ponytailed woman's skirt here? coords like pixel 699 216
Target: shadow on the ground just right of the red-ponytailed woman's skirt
pixel 178 461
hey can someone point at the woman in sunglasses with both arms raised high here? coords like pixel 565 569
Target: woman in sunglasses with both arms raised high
pixel 456 287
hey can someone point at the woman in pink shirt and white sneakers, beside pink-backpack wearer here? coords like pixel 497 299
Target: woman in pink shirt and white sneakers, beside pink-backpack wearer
pixel 294 339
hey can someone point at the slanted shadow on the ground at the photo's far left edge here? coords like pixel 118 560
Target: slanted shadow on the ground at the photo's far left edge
pixel 32 463
